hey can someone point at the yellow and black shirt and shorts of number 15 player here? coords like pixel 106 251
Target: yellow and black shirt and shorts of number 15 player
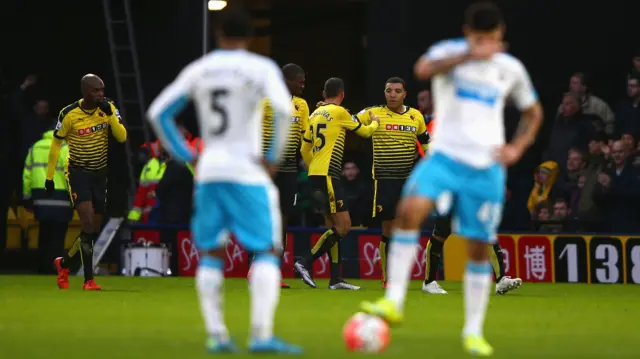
pixel 323 149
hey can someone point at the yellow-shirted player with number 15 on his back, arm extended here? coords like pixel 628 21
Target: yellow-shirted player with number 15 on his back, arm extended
pixel 322 150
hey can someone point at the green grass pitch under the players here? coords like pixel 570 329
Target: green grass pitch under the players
pixel 160 318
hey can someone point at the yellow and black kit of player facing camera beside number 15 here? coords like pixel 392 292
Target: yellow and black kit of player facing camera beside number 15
pixel 394 153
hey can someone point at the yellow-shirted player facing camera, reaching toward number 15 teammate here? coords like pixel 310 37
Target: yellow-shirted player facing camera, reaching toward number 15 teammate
pixel 394 153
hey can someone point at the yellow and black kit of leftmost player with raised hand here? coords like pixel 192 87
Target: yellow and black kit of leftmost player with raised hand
pixel 87 136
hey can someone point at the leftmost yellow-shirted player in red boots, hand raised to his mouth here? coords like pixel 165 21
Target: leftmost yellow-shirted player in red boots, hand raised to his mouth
pixel 85 124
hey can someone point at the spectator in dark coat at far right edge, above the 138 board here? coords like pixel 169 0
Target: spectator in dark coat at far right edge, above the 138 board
pixel 617 194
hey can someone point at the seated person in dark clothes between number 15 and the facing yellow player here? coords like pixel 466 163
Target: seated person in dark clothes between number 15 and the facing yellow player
pixel 356 194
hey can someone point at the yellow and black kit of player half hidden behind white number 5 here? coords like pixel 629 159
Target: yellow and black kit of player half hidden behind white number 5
pixel 286 179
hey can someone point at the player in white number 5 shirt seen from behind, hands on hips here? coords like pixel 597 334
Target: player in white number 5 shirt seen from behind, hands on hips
pixel 233 191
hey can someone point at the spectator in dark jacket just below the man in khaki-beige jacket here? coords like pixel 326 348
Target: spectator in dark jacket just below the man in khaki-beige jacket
pixel 572 128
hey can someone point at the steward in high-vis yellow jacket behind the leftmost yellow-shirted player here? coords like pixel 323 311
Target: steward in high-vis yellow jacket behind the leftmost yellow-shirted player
pixel 53 213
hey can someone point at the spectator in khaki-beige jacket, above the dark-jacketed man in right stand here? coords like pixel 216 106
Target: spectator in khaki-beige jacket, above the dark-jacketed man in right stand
pixel 590 104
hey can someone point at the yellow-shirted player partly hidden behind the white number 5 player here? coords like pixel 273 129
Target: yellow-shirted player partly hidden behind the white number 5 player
pixel 286 177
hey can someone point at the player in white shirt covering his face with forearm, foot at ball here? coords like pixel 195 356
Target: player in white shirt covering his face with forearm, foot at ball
pixel 472 77
